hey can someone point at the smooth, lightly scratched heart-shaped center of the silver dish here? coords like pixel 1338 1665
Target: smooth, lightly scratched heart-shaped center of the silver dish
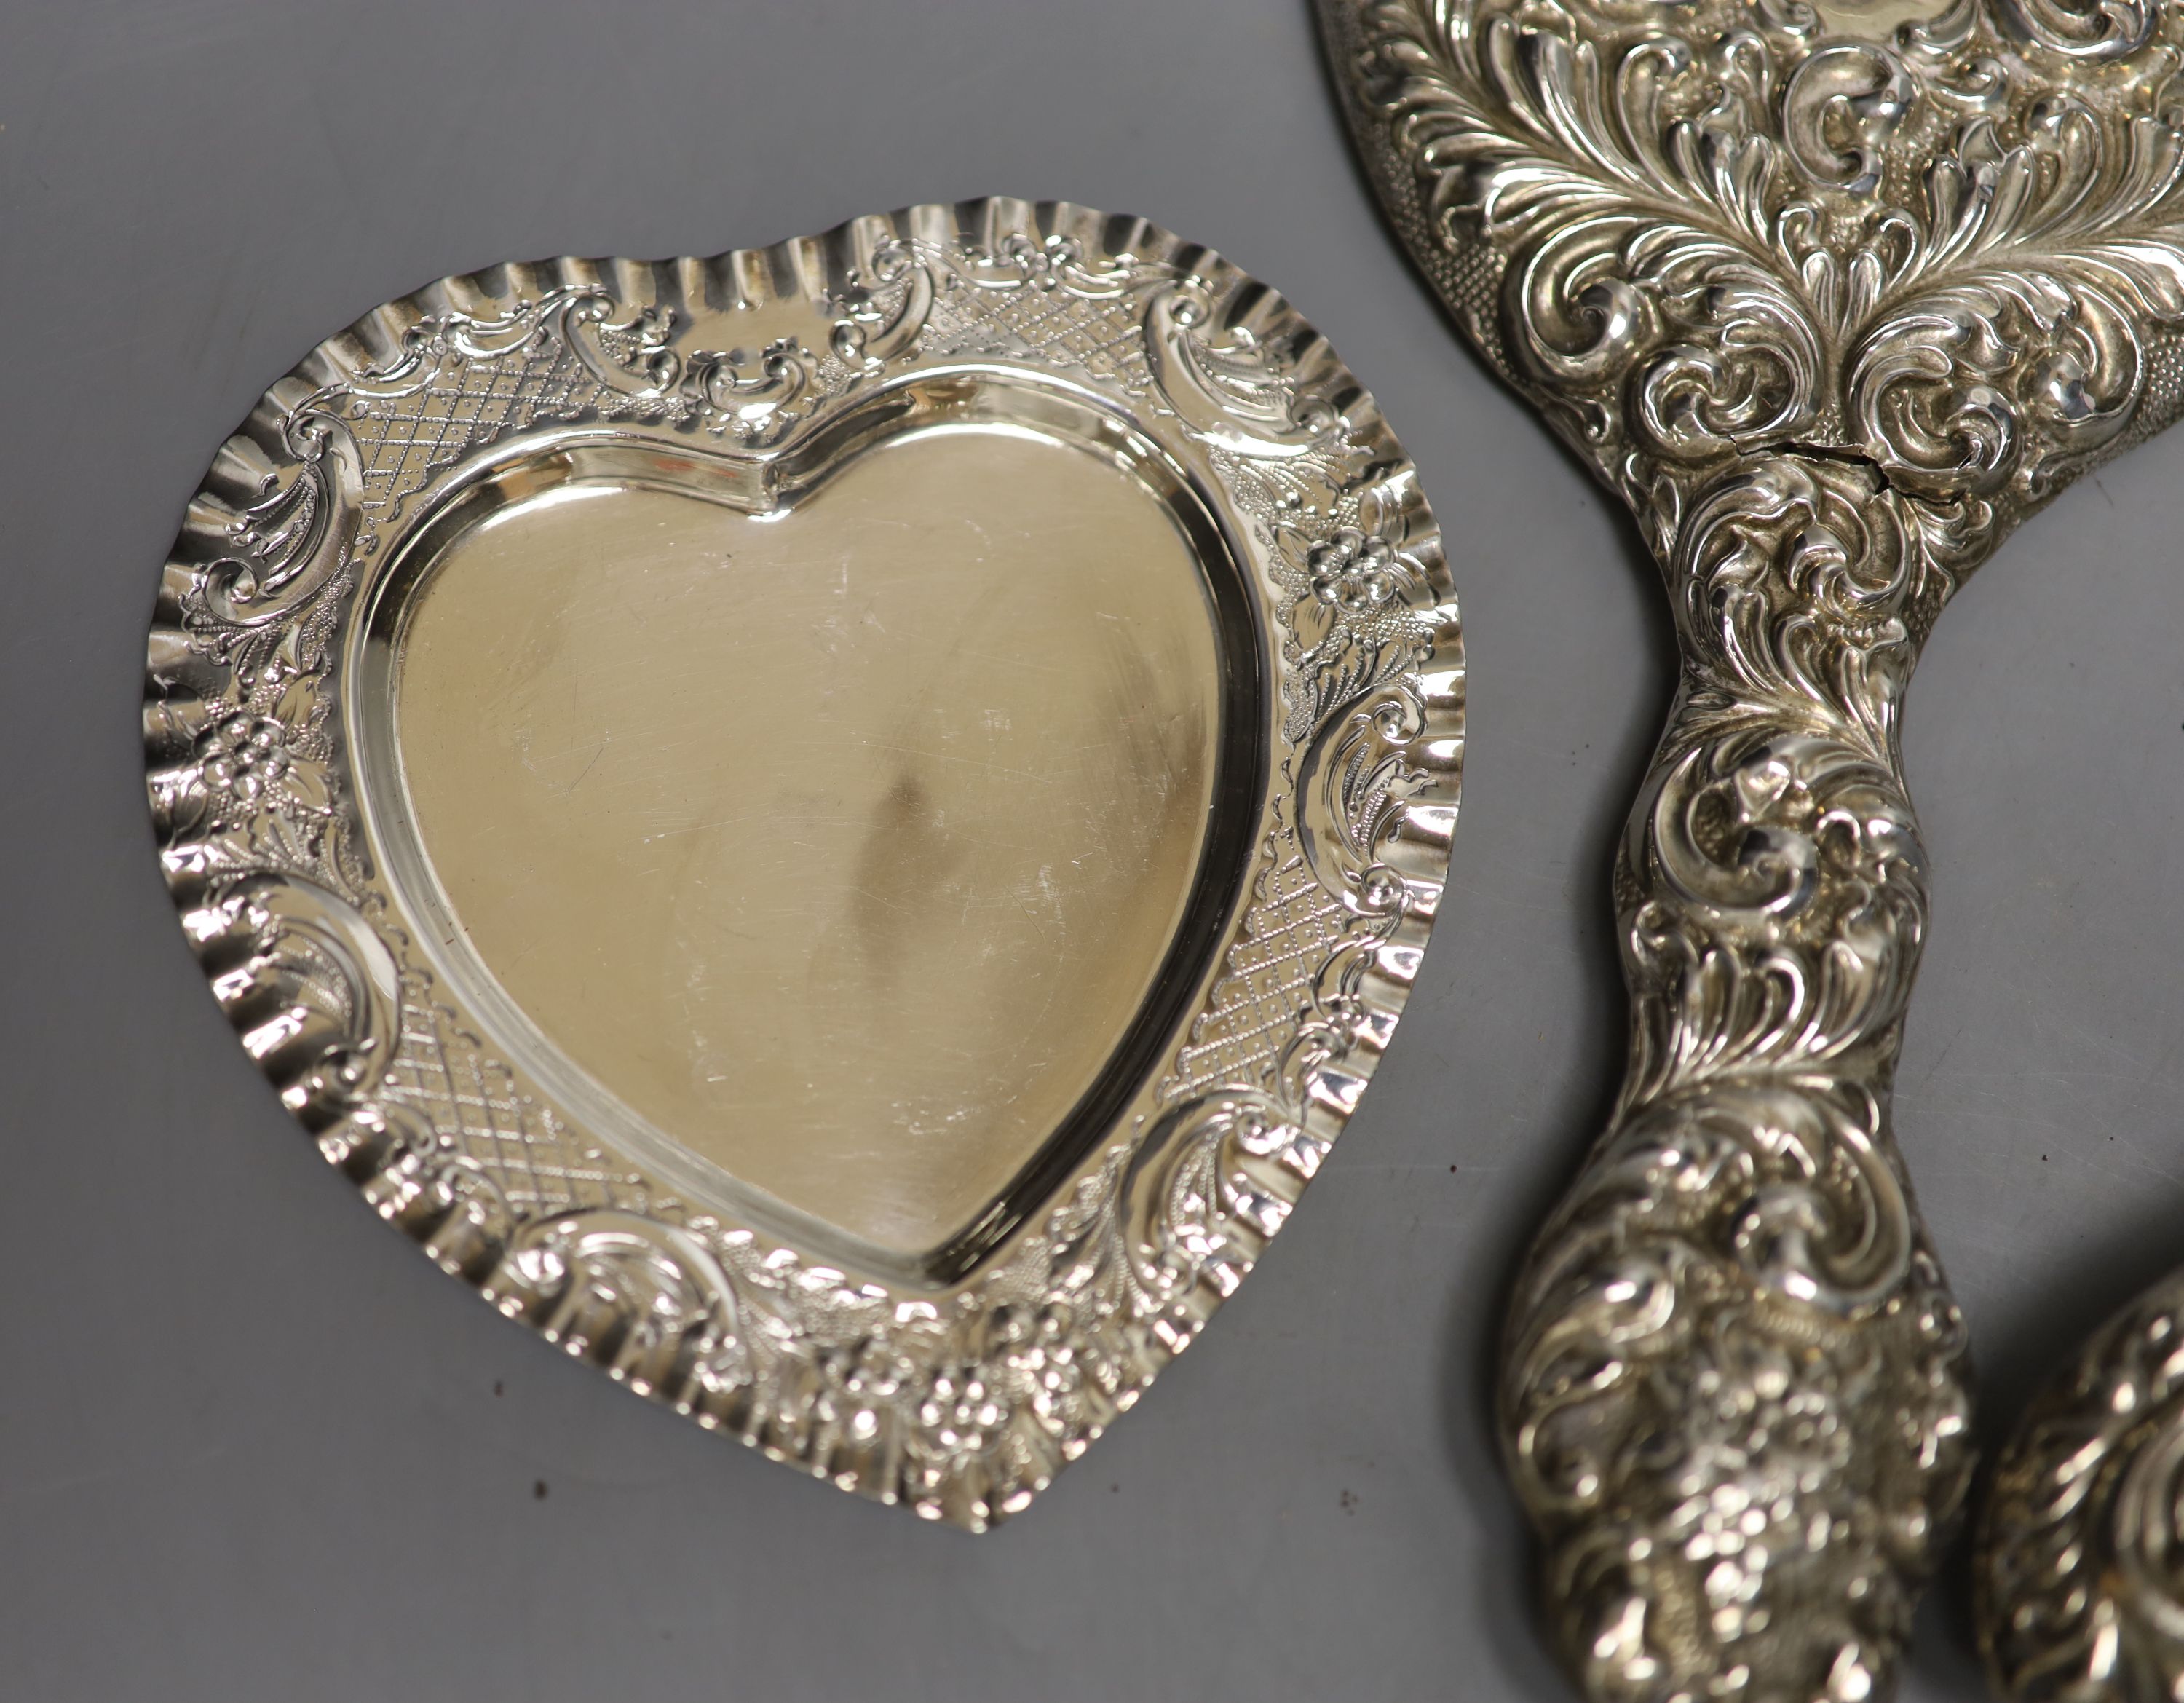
pixel 838 844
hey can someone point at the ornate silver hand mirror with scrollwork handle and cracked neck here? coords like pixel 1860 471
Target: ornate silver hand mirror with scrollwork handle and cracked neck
pixel 1833 298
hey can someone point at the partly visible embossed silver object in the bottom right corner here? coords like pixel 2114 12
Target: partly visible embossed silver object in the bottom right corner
pixel 2080 1556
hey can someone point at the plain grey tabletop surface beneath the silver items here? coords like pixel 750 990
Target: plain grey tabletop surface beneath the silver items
pixel 254 1449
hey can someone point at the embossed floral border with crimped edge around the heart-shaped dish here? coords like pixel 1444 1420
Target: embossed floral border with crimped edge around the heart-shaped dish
pixel 958 1398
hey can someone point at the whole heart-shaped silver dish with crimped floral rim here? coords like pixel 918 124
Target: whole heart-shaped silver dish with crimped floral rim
pixel 835 829
